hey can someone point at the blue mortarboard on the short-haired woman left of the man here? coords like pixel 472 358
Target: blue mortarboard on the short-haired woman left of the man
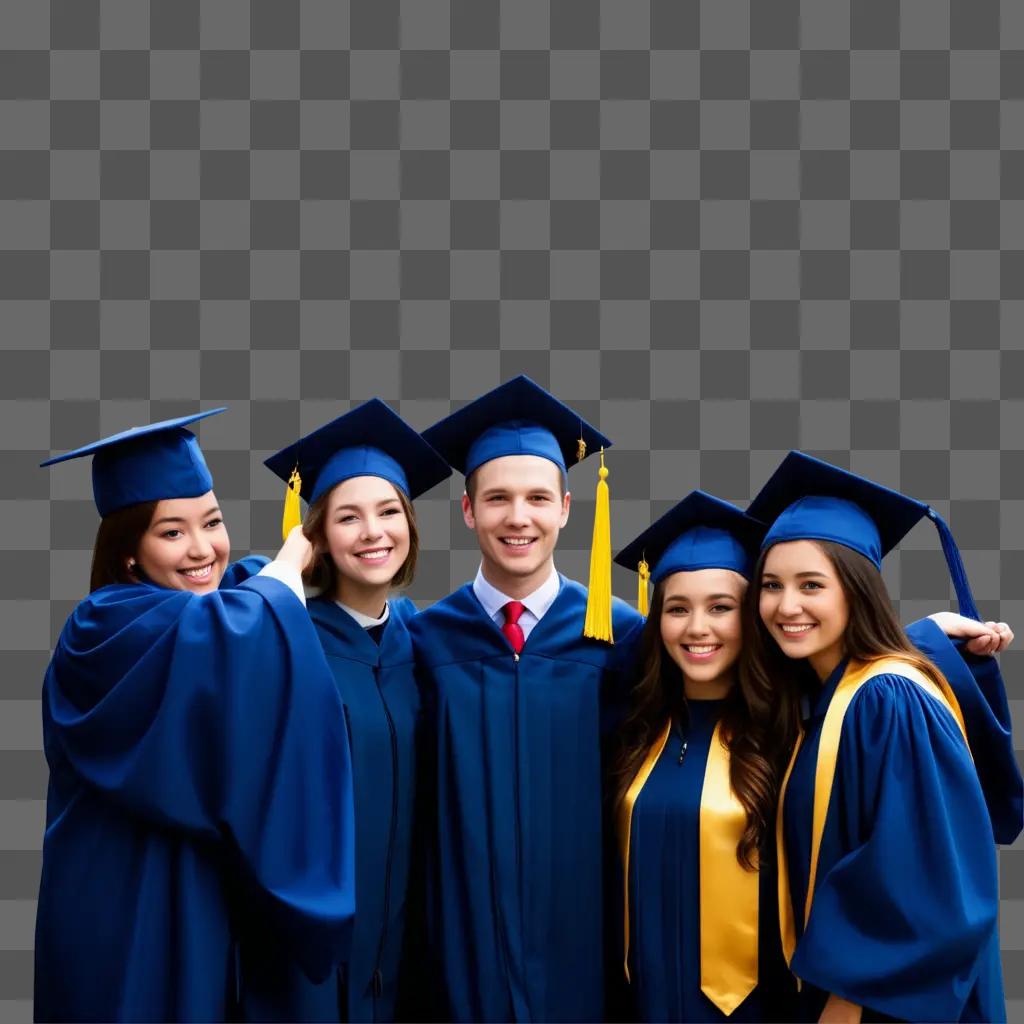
pixel 370 441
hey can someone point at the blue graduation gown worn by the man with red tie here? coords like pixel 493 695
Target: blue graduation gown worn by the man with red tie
pixel 516 895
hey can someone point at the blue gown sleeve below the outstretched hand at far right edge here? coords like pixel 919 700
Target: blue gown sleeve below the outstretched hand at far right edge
pixel 978 685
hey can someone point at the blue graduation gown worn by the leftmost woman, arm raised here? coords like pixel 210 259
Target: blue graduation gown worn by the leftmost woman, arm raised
pixel 188 738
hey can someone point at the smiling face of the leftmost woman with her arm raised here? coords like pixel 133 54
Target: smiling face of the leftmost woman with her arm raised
pixel 186 546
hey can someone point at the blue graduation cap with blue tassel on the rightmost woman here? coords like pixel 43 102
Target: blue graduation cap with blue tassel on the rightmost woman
pixel 808 499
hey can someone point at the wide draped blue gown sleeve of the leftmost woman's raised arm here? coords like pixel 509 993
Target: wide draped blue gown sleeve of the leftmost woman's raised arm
pixel 217 716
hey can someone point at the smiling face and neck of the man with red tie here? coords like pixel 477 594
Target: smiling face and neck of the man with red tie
pixel 518 511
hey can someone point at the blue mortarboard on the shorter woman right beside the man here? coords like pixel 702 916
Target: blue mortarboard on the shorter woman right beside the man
pixel 701 533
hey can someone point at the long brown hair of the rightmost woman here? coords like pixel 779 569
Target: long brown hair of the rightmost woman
pixel 872 633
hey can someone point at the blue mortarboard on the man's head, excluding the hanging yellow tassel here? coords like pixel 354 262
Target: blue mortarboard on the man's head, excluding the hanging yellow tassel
pixel 517 418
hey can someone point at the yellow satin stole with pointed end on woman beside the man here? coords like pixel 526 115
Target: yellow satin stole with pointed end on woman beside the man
pixel 729 891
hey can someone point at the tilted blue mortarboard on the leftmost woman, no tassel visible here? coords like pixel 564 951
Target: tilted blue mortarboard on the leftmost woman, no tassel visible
pixel 146 464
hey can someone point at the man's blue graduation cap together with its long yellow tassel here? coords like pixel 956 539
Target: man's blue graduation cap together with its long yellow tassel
pixel 522 418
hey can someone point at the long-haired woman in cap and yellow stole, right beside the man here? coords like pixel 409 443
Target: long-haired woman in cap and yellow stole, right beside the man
pixel 695 784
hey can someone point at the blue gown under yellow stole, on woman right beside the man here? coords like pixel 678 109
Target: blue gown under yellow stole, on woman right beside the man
pixel 665 893
